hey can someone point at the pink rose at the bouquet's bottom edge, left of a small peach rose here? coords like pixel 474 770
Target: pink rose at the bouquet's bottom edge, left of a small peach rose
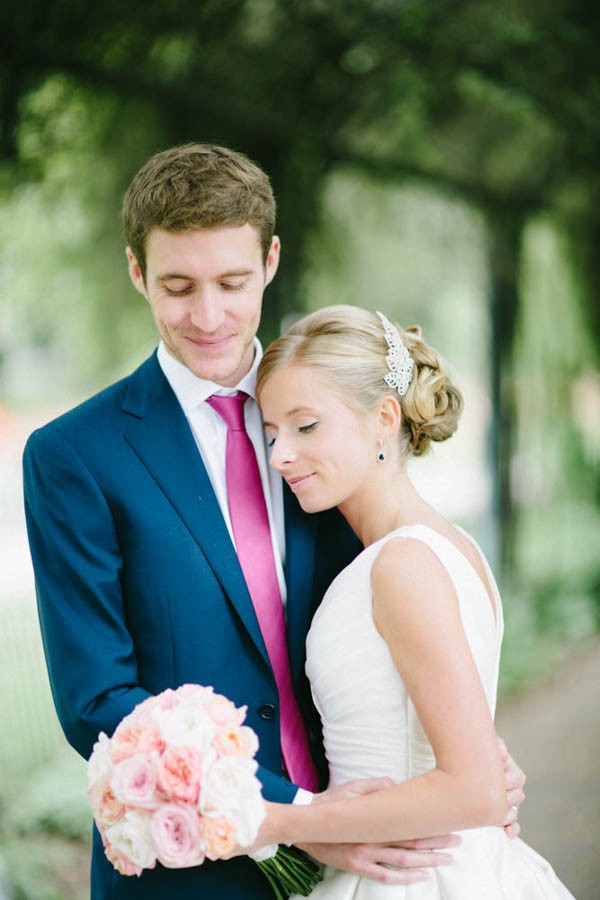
pixel 177 836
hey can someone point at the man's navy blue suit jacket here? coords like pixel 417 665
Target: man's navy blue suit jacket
pixel 139 589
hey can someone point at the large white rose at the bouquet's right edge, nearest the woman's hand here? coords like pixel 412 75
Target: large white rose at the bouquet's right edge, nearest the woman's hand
pixel 230 788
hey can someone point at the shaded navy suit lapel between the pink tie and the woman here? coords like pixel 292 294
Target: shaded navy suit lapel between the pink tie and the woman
pixel 300 537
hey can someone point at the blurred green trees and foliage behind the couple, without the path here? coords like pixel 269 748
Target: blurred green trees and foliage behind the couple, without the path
pixel 436 160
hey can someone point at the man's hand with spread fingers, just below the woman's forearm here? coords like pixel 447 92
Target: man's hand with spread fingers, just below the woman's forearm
pixel 393 863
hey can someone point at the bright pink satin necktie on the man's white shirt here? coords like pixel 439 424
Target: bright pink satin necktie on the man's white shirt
pixel 252 535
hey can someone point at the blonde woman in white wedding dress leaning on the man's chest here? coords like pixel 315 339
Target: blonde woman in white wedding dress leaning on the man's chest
pixel 403 652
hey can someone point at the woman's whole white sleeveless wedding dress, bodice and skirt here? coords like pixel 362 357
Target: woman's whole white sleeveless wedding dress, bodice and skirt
pixel 370 728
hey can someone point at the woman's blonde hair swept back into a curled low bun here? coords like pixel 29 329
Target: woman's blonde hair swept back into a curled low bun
pixel 348 344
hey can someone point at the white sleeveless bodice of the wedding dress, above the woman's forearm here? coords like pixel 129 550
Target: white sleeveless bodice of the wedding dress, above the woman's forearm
pixel 370 726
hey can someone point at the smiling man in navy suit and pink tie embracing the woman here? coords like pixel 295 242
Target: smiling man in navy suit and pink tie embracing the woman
pixel 146 570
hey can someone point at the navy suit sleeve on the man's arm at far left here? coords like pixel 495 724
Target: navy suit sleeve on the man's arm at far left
pixel 77 564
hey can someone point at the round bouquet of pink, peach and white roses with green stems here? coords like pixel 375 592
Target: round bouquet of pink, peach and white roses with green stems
pixel 176 784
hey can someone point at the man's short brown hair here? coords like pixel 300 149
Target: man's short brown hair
pixel 197 186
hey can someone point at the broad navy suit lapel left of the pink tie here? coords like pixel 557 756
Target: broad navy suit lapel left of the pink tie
pixel 160 435
